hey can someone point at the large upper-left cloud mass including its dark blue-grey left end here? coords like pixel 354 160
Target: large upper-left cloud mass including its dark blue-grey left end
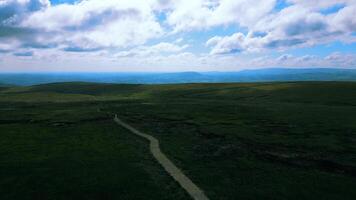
pixel 85 25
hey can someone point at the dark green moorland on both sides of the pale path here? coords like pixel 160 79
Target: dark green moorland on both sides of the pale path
pixel 294 140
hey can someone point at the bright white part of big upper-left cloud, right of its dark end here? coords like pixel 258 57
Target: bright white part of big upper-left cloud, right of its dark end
pixel 97 23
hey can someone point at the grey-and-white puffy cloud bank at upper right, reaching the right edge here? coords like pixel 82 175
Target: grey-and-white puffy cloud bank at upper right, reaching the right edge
pixel 298 25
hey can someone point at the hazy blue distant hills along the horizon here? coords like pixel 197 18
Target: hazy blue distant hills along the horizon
pixel 260 75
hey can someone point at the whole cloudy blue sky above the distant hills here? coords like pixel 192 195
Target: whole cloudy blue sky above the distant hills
pixel 175 35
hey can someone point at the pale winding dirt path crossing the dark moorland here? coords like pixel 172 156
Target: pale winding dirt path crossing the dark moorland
pixel 193 190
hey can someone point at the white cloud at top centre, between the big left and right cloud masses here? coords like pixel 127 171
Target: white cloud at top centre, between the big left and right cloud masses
pixel 187 15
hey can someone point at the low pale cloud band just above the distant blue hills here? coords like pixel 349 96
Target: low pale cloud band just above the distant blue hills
pixel 179 61
